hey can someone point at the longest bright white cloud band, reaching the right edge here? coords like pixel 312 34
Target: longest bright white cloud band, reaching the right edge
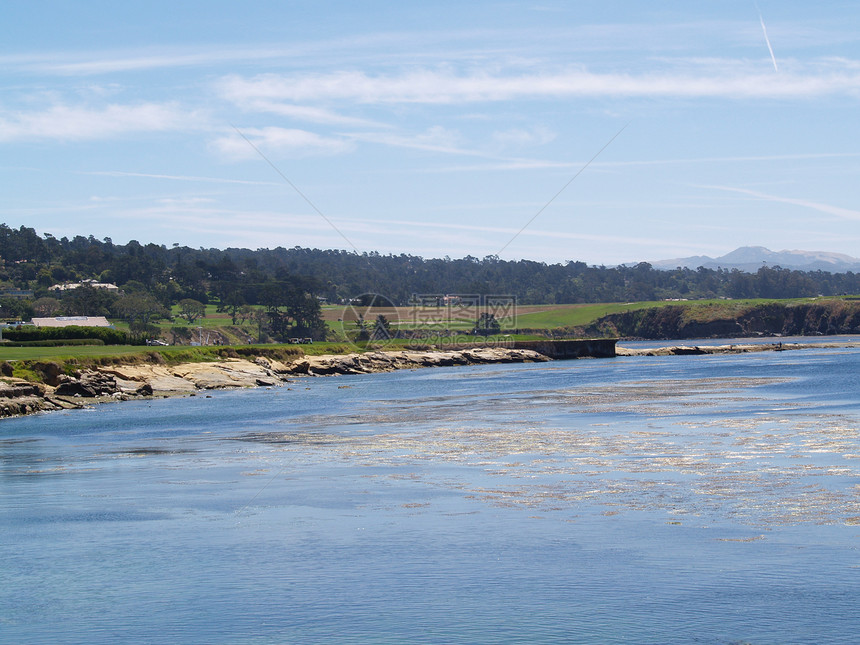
pixel 428 86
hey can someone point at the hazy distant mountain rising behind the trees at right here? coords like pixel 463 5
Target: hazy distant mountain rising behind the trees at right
pixel 752 258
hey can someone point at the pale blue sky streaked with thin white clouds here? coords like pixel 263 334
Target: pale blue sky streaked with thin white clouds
pixel 602 132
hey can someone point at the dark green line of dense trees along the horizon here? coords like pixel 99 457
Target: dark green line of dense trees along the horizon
pixel 289 283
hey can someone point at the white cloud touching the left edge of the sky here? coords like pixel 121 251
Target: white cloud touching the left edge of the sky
pixel 67 123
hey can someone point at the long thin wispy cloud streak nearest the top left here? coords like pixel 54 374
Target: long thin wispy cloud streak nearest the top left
pixel 375 48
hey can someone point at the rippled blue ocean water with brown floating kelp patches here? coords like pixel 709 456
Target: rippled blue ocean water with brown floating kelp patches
pixel 686 499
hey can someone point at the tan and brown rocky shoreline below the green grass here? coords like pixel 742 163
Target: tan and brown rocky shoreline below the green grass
pixel 131 381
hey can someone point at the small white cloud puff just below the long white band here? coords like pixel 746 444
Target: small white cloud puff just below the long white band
pixel 283 141
